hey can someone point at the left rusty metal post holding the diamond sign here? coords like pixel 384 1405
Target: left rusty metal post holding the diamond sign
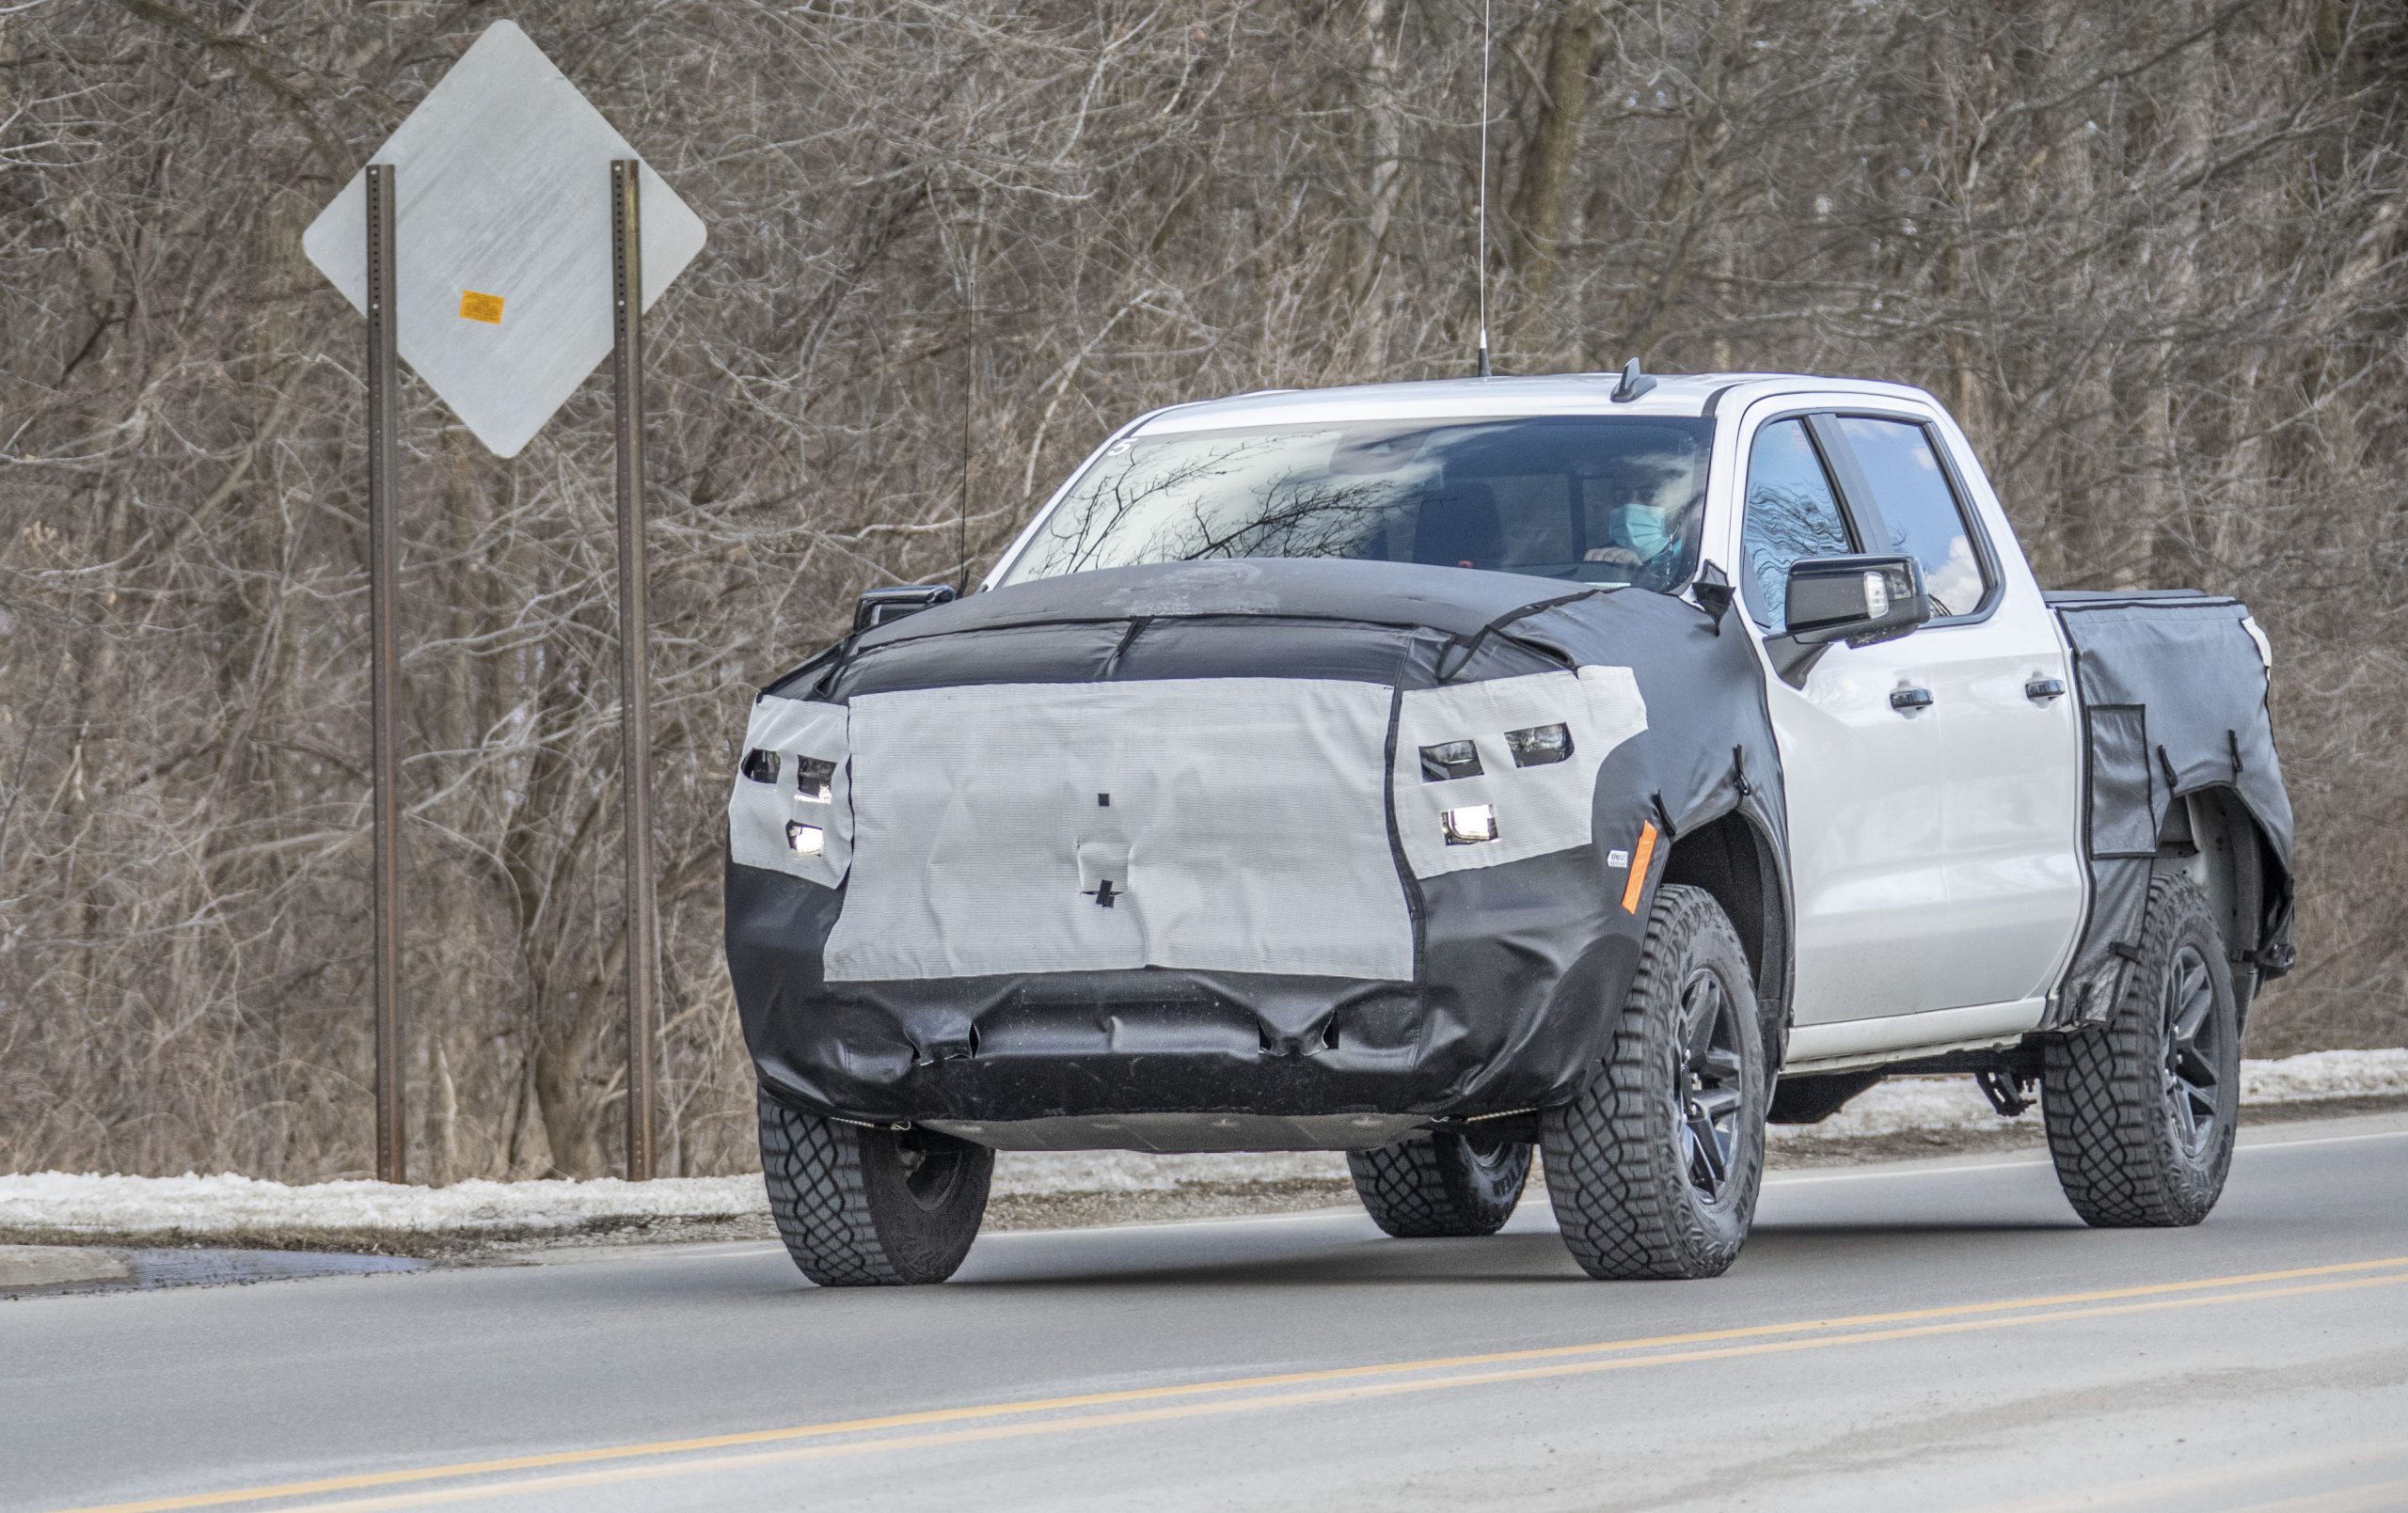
pixel 384 535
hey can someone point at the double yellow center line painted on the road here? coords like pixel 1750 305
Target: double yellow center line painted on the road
pixel 1969 1317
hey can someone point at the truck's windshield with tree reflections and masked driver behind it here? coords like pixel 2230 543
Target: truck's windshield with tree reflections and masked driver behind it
pixel 1588 499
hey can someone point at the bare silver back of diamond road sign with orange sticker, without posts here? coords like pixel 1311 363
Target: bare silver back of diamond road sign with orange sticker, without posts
pixel 502 237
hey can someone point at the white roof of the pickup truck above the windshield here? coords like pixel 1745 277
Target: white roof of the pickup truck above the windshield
pixel 1472 398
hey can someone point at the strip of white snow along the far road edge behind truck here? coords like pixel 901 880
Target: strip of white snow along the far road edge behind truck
pixel 66 1204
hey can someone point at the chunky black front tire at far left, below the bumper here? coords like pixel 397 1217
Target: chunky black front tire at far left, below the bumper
pixel 849 1209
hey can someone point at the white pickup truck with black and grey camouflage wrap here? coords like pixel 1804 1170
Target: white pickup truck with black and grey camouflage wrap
pixel 1444 773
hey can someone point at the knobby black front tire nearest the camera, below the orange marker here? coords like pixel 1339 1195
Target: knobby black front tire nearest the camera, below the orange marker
pixel 1617 1161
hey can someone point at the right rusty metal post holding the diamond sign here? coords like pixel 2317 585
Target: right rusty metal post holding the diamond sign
pixel 635 670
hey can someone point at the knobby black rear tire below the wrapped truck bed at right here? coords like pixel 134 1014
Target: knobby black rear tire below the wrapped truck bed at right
pixel 2125 1153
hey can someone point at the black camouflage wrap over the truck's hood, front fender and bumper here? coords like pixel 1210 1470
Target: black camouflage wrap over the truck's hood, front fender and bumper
pixel 1518 966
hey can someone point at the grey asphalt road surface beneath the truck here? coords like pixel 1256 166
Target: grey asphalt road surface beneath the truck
pixel 1923 1336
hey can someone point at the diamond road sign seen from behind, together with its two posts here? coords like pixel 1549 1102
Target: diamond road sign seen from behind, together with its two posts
pixel 507 297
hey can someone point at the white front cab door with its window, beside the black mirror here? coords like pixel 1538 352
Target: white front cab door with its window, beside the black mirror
pixel 1863 759
